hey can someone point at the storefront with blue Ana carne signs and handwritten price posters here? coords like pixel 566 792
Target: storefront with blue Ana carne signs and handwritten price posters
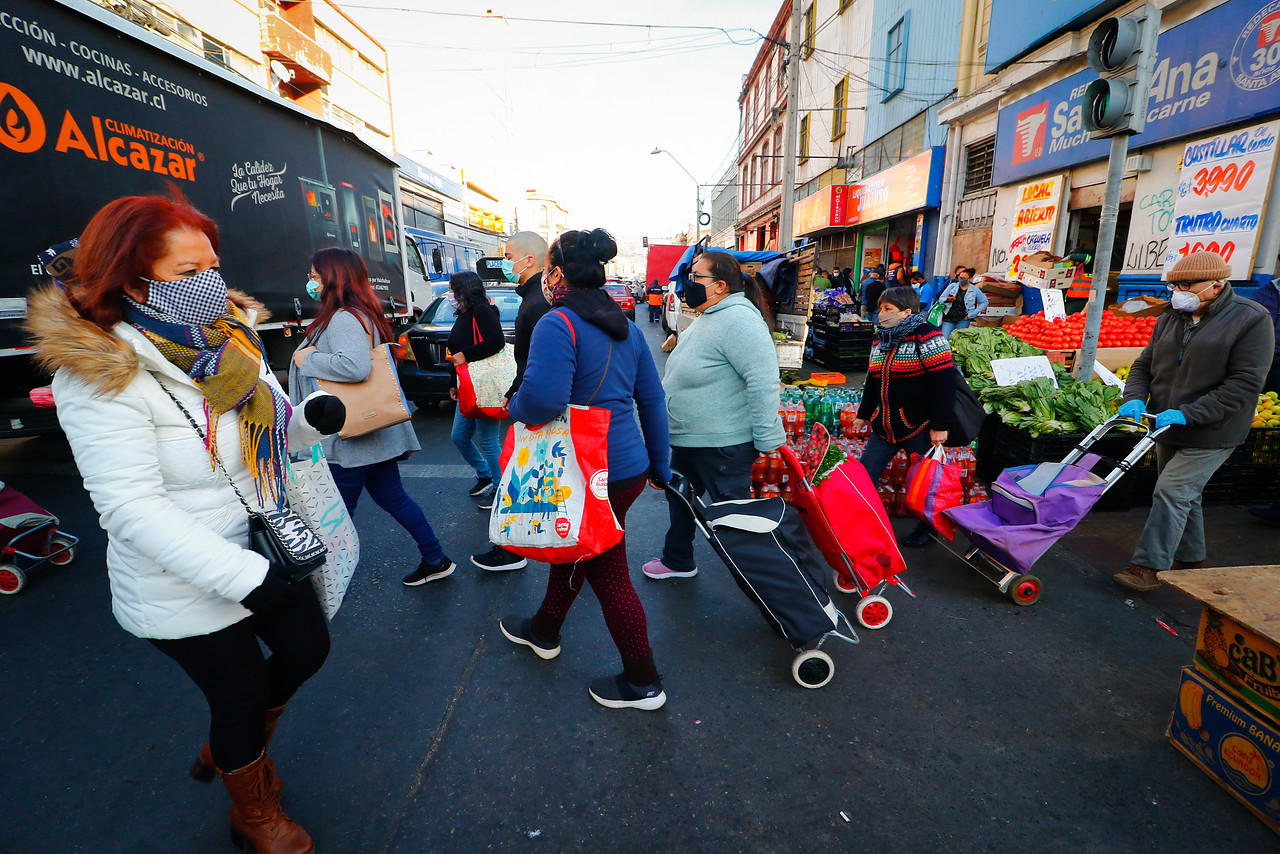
pixel 1215 93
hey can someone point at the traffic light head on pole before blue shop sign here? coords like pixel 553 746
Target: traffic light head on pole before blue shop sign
pixel 1123 51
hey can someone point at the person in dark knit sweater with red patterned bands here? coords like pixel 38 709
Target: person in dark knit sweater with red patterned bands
pixel 909 396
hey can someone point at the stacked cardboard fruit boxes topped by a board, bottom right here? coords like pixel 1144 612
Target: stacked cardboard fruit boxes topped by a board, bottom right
pixel 1228 715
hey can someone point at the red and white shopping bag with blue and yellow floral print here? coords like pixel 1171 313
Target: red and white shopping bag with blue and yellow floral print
pixel 554 499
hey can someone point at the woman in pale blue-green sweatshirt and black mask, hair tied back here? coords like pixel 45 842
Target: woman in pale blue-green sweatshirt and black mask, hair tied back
pixel 723 400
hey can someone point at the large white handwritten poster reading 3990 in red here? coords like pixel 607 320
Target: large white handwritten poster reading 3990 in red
pixel 1220 198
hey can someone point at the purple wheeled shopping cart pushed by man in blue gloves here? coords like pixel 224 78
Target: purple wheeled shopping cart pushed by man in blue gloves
pixel 1034 506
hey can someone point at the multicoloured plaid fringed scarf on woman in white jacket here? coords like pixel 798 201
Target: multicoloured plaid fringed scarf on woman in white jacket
pixel 225 360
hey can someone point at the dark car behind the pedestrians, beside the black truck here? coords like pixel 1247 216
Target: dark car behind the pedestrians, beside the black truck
pixel 424 371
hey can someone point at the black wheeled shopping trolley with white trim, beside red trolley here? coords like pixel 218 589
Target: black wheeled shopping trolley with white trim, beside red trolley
pixel 766 549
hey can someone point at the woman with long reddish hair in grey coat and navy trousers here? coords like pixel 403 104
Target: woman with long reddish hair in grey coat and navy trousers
pixel 337 349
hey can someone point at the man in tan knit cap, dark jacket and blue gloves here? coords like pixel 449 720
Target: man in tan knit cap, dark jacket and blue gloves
pixel 1200 375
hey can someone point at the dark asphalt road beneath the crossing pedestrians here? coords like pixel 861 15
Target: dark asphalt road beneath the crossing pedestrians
pixel 966 725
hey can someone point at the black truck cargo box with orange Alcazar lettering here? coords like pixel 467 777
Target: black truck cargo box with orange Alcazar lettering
pixel 94 108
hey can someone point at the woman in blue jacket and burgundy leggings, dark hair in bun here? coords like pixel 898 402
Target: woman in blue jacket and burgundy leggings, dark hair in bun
pixel 586 351
